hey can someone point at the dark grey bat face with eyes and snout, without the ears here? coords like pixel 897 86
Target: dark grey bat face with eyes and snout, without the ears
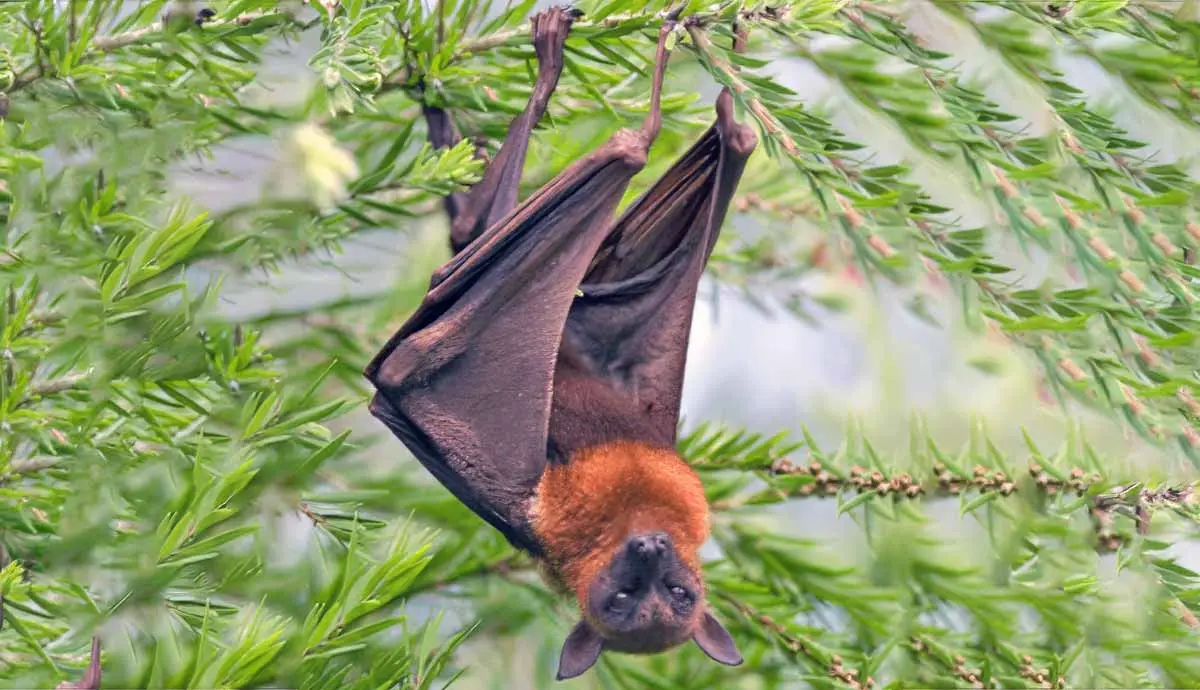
pixel 647 599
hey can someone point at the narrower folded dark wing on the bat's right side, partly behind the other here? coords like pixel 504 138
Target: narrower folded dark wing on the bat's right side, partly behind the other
pixel 633 323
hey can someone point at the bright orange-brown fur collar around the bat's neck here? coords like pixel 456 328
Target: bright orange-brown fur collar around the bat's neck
pixel 586 508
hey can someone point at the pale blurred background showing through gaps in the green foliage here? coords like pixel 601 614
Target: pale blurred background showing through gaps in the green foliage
pixel 803 346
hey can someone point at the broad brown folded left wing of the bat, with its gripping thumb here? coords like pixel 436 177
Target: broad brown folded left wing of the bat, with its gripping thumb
pixel 467 382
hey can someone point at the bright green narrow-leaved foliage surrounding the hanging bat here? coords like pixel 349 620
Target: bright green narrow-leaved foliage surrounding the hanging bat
pixel 173 479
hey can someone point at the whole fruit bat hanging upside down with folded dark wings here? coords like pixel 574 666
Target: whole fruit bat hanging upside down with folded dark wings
pixel 539 381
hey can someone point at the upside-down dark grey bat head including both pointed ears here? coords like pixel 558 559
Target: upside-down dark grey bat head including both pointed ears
pixel 646 601
